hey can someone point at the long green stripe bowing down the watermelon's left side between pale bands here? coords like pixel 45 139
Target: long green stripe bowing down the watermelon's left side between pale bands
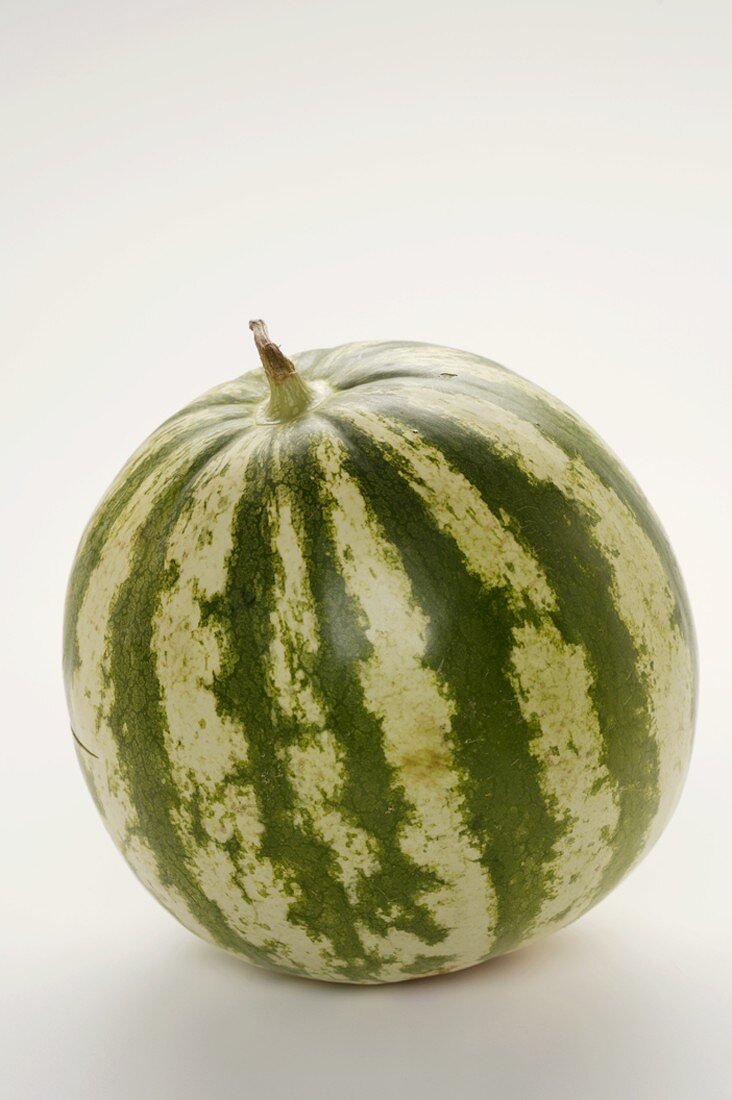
pixel 138 718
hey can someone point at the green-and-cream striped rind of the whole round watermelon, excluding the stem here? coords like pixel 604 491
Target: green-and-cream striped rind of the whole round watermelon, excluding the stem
pixel 386 690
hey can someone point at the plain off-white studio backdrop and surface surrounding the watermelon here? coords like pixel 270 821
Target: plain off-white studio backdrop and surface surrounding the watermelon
pixel 544 183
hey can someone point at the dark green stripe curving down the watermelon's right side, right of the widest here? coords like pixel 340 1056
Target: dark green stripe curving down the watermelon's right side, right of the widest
pixel 559 534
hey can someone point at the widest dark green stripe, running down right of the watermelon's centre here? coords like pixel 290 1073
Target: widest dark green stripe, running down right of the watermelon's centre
pixel 469 646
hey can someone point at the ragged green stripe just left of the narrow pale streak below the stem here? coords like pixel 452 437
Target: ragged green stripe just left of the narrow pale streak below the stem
pixel 243 617
